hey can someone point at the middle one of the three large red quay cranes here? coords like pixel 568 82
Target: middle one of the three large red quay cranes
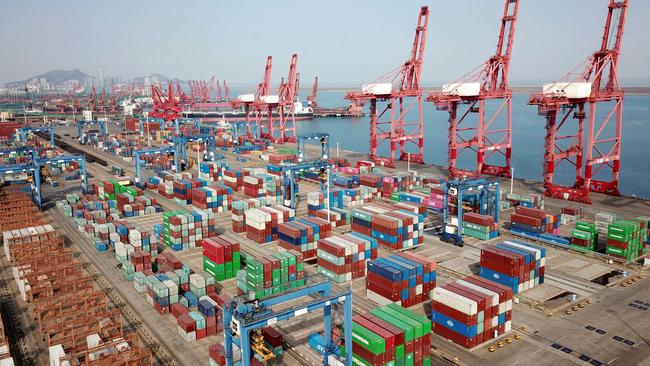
pixel 467 97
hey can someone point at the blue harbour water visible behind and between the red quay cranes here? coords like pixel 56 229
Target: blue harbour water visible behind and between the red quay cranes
pixel 528 140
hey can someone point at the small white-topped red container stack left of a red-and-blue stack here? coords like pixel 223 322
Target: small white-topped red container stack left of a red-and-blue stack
pixel 262 223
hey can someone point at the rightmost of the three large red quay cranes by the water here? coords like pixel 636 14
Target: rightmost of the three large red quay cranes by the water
pixel 591 92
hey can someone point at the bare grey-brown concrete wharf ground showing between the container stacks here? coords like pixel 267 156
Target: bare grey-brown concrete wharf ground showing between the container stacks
pixel 539 316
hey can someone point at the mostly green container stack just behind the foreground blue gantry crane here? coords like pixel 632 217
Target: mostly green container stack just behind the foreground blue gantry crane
pixel 271 274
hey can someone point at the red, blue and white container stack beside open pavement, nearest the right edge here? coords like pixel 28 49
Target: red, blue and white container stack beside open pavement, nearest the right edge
pixel 515 264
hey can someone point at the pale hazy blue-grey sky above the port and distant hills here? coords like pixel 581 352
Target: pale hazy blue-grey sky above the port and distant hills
pixel 338 40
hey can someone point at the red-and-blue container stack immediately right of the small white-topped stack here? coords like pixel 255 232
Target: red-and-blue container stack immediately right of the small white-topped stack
pixel 302 235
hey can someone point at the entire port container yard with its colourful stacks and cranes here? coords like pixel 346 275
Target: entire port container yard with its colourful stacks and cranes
pixel 206 229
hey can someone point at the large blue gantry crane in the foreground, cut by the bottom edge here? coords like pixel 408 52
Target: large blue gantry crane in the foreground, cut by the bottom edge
pixel 241 317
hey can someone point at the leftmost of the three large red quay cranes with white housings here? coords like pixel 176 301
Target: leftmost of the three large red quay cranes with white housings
pixel 401 92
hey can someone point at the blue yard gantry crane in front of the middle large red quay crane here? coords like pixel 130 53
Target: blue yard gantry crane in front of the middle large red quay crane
pixel 488 192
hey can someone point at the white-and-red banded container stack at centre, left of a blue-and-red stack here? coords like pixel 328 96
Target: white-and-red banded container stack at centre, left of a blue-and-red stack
pixel 343 258
